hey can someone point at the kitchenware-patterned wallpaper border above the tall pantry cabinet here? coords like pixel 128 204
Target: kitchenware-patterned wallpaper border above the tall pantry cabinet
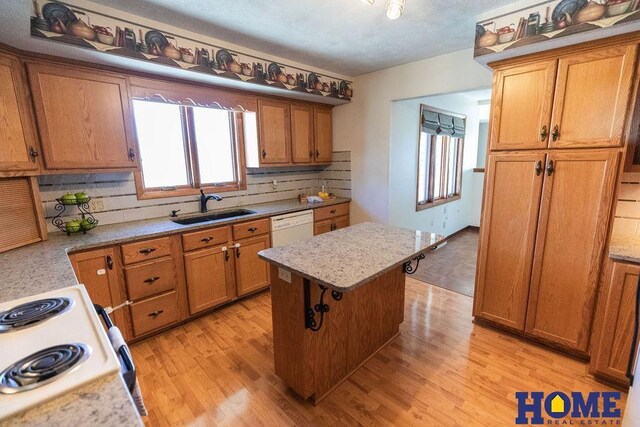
pixel 550 19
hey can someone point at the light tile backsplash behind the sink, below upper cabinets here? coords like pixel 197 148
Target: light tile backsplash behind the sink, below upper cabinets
pixel 117 191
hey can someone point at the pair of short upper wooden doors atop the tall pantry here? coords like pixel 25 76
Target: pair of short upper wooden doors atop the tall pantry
pixel 574 101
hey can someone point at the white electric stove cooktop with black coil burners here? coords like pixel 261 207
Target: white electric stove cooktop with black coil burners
pixel 50 344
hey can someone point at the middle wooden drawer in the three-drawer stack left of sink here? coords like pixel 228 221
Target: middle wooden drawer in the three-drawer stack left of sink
pixel 150 278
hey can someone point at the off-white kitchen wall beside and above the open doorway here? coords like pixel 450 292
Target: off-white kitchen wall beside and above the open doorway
pixel 363 127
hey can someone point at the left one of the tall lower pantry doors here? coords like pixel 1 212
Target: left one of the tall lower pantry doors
pixel 507 235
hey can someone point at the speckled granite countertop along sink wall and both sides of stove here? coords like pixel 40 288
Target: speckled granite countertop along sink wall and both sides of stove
pixel 45 266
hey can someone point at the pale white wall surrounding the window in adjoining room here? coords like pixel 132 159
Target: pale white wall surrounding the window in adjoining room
pixel 444 219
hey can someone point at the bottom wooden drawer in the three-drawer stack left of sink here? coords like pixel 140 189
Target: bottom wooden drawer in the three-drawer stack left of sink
pixel 154 313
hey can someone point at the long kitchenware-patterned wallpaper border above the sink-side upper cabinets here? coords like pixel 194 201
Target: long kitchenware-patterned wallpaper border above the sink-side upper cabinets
pixel 70 24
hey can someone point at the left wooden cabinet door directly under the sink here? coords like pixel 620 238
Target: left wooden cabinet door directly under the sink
pixel 209 278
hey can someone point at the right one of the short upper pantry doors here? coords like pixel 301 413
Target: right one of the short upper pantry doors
pixel 592 98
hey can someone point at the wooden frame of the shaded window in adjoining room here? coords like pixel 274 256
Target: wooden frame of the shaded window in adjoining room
pixel 446 140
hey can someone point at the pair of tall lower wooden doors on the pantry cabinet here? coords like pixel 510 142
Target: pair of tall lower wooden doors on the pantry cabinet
pixel 544 225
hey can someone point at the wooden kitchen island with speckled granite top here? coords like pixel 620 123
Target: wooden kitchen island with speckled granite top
pixel 337 299
